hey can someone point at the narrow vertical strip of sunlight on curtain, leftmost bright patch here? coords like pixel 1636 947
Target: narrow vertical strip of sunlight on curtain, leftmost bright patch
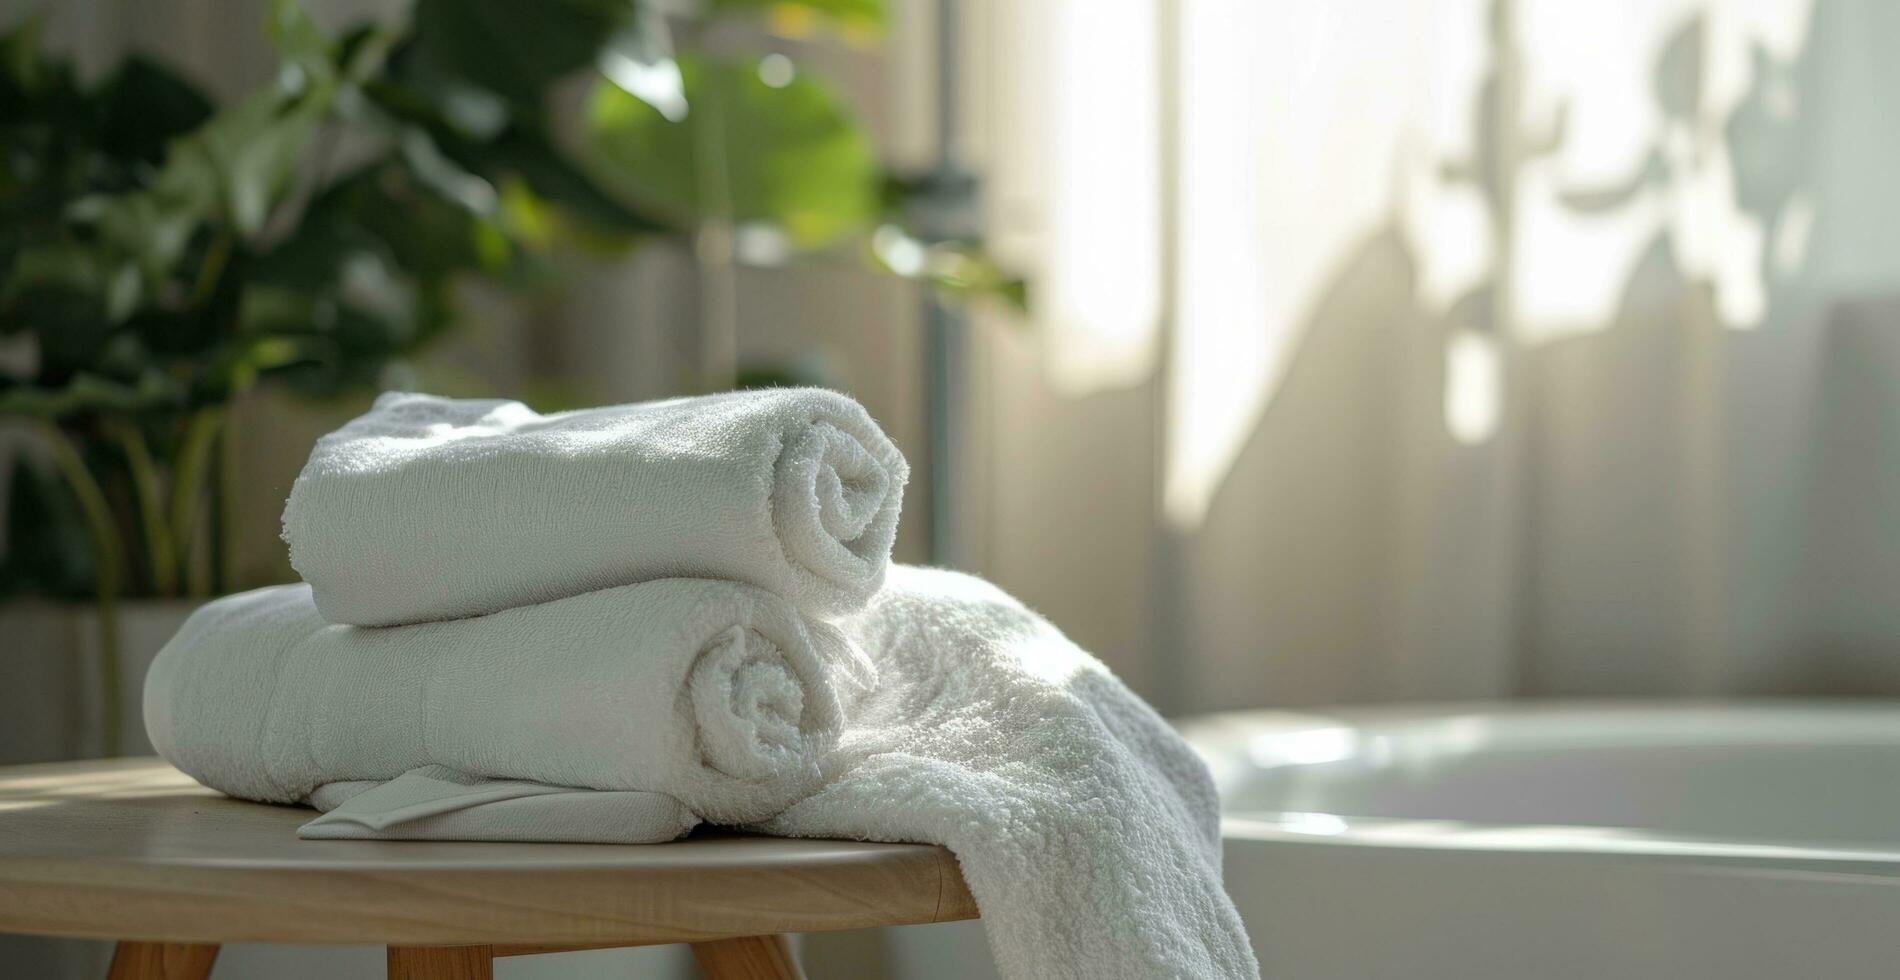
pixel 1076 181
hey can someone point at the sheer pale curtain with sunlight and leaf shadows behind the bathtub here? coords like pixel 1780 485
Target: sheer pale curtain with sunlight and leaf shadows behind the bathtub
pixel 1511 349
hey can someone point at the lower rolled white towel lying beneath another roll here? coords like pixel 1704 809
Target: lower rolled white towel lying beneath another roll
pixel 715 694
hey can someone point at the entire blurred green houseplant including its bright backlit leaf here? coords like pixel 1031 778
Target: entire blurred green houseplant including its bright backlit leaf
pixel 162 255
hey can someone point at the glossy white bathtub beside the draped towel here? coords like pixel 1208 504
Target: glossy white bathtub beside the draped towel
pixel 1565 842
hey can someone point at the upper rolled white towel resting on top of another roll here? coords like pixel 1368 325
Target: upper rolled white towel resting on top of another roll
pixel 438 508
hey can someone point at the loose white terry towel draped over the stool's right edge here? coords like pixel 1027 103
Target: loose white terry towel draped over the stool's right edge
pixel 1086 827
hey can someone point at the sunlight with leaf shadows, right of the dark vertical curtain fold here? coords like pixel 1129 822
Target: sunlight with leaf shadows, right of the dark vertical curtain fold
pixel 1637 100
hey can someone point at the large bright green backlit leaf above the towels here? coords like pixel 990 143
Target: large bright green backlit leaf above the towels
pixel 750 151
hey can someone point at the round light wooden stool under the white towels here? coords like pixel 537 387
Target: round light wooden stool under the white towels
pixel 136 852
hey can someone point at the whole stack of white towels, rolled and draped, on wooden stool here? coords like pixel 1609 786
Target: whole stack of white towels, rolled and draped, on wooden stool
pixel 617 624
